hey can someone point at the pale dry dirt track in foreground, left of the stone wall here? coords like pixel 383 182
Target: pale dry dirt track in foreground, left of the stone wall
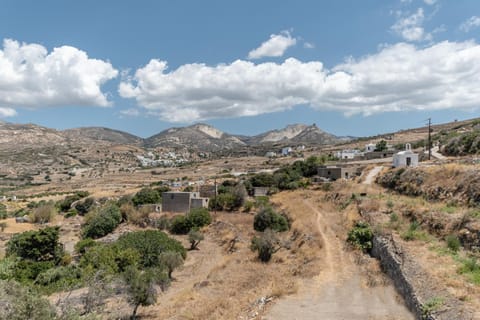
pixel 339 291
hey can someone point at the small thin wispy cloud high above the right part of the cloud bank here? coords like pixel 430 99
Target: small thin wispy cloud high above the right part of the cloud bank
pixel 411 28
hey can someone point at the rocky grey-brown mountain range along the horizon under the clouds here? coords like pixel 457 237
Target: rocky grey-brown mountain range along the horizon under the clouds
pixel 199 137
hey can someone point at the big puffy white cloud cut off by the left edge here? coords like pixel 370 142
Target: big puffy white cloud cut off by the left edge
pixel 33 77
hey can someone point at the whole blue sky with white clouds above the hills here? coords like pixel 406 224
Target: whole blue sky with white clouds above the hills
pixel 356 68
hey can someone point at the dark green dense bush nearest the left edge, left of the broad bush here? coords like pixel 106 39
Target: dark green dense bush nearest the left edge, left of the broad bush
pixel 41 245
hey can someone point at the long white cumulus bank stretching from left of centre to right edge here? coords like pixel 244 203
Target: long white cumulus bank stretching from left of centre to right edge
pixel 399 77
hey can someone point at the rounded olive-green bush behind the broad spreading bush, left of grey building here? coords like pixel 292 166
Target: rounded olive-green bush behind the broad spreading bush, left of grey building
pixel 102 222
